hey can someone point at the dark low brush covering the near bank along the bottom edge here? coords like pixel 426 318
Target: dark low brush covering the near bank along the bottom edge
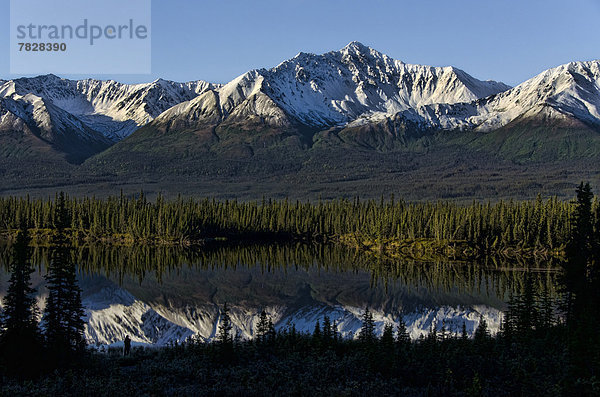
pixel 294 364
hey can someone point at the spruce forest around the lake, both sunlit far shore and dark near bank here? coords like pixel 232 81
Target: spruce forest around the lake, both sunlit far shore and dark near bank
pixel 548 343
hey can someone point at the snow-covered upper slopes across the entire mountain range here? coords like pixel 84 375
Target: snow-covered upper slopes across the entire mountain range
pixel 351 87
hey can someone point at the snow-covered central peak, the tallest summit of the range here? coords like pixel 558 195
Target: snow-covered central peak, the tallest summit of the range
pixel 332 89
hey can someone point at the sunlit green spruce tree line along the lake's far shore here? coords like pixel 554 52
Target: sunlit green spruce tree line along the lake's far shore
pixel 542 224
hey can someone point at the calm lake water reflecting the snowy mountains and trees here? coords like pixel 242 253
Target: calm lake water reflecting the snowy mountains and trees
pixel 162 295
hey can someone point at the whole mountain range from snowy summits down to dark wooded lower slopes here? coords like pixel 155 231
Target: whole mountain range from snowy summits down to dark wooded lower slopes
pixel 346 122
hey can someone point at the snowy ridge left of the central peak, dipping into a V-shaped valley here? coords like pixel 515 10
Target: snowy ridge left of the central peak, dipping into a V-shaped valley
pixel 109 107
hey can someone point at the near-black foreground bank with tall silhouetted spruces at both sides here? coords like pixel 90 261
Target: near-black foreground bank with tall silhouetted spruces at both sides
pixel 546 346
